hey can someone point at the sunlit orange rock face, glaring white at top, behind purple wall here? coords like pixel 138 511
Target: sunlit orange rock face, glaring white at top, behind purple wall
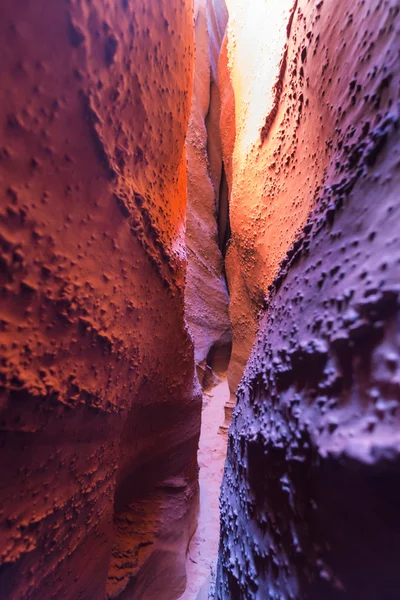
pixel 263 219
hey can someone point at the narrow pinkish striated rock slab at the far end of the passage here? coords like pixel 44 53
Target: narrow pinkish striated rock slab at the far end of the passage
pixel 206 297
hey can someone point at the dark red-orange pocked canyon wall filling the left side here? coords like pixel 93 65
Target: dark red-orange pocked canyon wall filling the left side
pixel 99 424
